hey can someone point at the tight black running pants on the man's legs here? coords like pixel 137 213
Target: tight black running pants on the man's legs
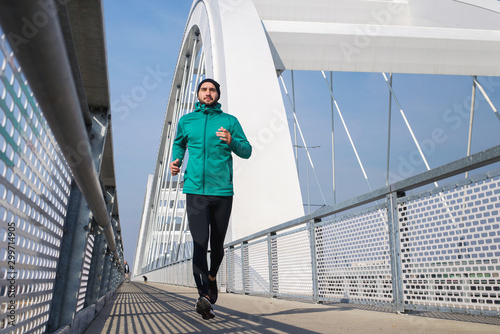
pixel 208 217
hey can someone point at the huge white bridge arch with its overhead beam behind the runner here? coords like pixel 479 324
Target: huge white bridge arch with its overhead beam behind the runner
pixel 244 44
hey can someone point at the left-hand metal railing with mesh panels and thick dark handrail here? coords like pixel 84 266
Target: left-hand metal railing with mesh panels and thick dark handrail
pixel 61 252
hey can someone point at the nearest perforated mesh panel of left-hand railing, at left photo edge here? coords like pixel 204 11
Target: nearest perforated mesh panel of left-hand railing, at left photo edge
pixel 34 190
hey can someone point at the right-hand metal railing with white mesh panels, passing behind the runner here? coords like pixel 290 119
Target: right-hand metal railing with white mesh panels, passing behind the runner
pixel 436 249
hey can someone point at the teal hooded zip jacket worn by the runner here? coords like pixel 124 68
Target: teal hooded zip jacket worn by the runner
pixel 210 164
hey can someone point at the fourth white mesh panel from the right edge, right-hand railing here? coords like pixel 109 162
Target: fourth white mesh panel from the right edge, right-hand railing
pixel 257 272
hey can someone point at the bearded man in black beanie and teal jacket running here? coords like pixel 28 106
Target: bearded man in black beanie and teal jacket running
pixel 210 136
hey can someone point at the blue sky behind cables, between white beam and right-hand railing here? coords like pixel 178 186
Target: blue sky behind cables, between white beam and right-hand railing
pixel 437 108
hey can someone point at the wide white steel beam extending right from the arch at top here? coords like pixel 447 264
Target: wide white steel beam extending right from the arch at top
pixel 443 37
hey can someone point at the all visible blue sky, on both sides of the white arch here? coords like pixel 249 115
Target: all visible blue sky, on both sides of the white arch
pixel 143 41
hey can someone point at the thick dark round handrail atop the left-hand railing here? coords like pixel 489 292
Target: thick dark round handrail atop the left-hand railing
pixel 42 55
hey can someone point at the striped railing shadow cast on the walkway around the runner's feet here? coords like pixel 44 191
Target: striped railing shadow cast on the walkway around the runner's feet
pixel 144 308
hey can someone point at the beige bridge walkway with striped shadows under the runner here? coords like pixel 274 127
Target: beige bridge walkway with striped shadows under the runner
pixel 159 308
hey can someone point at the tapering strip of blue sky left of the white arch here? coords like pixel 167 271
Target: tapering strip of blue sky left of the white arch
pixel 142 38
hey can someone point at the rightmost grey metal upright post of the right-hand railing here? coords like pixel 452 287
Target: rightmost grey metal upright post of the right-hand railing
pixel 395 248
